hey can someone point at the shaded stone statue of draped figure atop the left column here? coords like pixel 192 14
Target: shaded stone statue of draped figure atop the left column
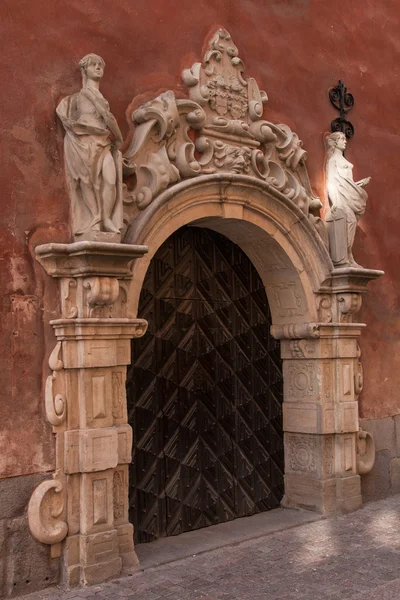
pixel 93 162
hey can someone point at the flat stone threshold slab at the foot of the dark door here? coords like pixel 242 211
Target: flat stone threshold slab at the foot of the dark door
pixel 173 548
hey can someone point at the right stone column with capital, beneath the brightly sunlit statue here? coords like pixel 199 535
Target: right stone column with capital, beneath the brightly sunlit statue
pixel 323 378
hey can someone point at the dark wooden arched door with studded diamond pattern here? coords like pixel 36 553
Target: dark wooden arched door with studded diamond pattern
pixel 204 391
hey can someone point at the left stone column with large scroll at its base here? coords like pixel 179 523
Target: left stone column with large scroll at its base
pixel 83 512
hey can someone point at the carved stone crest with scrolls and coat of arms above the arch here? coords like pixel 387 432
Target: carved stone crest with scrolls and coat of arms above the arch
pixel 220 129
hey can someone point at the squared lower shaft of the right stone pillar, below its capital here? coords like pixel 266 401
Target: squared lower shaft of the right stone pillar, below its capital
pixel 320 419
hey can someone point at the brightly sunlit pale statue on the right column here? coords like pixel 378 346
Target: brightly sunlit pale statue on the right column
pixel 347 200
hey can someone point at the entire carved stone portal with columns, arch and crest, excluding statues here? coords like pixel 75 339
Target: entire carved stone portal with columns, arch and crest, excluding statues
pixel 208 161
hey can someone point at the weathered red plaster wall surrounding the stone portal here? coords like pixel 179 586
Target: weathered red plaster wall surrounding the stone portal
pixel 296 49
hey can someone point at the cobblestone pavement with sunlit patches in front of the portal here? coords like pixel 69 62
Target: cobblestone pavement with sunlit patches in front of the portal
pixel 350 557
